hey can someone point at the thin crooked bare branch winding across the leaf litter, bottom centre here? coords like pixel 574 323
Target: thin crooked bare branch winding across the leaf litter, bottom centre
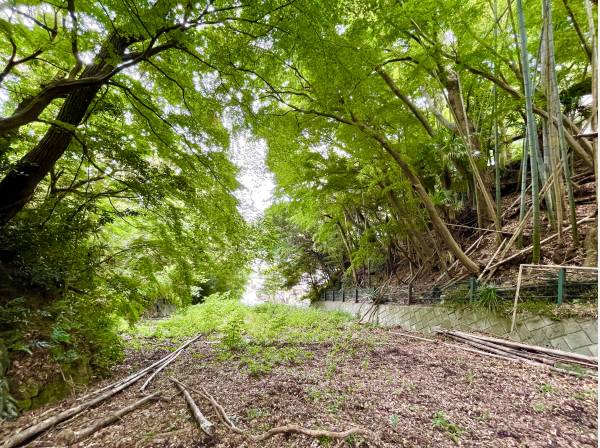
pixel 287 429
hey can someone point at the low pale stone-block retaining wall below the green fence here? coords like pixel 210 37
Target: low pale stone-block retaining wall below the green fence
pixel 579 336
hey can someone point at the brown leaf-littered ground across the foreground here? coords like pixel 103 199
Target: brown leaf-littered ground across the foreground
pixel 410 393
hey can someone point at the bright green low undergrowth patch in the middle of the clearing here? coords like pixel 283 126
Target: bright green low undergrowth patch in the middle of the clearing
pixel 258 337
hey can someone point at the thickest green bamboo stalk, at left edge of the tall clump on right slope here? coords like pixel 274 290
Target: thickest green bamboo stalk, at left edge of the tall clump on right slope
pixel 532 134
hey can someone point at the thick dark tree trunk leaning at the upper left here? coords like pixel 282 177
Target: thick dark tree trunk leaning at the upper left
pixel 18 186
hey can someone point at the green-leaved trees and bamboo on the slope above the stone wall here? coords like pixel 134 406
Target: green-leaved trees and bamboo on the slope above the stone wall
pixel 403 118
